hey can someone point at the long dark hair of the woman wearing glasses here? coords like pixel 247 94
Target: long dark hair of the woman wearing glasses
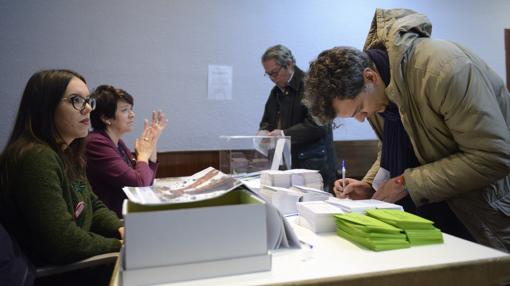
pixel 35 122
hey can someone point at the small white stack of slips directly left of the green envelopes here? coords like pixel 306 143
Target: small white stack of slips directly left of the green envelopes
pixel 318 216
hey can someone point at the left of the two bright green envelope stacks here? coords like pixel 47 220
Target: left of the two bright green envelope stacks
pixel 370 232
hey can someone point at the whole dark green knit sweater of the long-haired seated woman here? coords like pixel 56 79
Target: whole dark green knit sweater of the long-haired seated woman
pixel 39 205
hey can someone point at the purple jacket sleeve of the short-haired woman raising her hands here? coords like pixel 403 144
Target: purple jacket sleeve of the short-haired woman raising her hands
pixel 105 163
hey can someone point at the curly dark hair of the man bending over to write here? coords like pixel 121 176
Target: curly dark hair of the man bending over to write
pixel 336 73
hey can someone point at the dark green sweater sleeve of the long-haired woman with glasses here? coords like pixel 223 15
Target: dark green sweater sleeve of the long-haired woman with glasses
pixel 47 203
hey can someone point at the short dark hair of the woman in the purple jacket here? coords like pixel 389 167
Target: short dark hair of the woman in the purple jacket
pixel 107 97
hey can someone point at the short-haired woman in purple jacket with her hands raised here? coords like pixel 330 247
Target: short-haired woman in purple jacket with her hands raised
pixel 110 164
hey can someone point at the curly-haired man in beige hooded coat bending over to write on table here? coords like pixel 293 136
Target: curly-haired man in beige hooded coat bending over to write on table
pixel 442 116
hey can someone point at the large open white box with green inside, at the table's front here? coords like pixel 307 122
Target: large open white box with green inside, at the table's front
pixel 230 226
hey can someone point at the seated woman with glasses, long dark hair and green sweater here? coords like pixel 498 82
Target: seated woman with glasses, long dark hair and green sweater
pixel 46 202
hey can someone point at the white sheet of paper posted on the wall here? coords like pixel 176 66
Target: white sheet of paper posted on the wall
pixel 219 85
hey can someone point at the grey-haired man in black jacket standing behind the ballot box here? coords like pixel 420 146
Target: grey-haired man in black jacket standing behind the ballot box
pixel 284 114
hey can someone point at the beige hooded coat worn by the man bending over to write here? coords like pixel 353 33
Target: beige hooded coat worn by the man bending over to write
pixel 456 111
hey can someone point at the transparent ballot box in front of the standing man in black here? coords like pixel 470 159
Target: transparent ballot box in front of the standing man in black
pixel 248 154
